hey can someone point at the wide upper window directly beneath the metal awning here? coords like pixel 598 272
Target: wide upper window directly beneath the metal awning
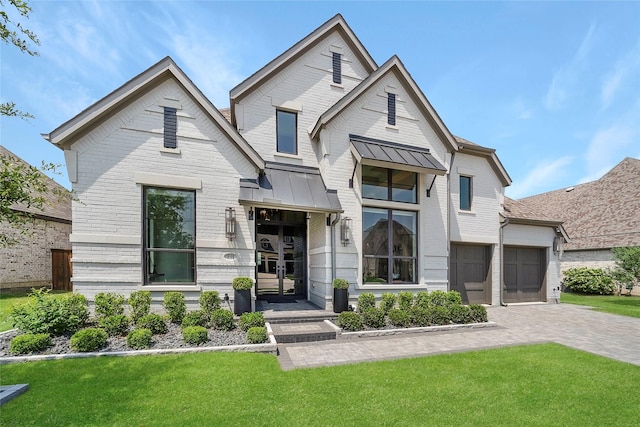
pixel 389 184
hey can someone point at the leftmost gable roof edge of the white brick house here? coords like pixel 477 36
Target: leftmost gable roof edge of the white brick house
pixel 94 115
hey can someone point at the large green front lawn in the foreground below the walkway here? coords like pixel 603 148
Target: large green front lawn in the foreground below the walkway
pixel 529 385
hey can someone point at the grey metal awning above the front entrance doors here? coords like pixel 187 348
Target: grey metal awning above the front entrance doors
pixel 289 187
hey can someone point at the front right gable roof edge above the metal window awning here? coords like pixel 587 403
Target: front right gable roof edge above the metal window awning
pixel 393 65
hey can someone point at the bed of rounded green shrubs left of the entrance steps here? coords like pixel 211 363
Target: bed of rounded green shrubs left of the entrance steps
pixel 45 316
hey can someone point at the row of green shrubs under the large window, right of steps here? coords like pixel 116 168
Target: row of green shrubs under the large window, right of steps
pixel 408 310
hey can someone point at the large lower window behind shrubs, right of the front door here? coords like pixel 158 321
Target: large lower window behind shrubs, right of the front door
pixel 389 242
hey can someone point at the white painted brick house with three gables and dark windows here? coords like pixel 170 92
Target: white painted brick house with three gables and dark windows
pixel 326 165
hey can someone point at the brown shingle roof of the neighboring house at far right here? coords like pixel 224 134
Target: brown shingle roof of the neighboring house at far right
pixel 600 214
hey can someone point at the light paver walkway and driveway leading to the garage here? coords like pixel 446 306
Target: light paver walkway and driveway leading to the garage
pixel 579 327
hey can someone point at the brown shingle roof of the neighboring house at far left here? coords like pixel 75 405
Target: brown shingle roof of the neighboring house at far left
pixel 57 207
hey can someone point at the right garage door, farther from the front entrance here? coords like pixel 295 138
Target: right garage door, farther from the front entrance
pixel 524 274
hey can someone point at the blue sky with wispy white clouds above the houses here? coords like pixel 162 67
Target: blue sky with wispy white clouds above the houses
pixel 554 87
